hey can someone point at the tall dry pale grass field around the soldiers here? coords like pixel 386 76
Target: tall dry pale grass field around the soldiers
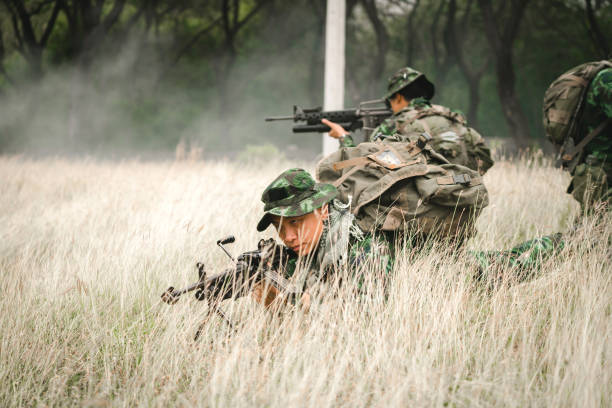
pixel 87 247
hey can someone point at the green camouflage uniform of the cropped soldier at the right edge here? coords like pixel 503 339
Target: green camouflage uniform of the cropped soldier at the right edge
pixel 591 177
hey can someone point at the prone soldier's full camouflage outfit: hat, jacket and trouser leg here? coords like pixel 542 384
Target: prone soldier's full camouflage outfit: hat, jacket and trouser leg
pixel 343 245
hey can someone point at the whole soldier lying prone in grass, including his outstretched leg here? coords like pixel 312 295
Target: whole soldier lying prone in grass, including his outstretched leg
pixel 322 237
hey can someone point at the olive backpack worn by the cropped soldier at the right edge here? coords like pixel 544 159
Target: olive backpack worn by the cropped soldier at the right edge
pixel 563 103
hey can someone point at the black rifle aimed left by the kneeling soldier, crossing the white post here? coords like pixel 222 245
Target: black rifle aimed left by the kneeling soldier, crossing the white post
pixel 365 117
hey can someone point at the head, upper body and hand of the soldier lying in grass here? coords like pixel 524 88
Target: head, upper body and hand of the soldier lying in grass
pixel 318 230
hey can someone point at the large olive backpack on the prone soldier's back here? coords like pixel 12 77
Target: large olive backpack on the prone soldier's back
pixel 405 187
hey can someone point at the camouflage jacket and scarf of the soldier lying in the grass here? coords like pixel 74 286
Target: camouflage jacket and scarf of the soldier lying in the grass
pixel 342 245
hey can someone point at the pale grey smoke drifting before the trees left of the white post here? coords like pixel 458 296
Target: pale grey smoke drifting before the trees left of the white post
pixel 132 102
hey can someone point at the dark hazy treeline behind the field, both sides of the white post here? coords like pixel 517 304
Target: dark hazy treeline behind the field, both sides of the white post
pixel 104 75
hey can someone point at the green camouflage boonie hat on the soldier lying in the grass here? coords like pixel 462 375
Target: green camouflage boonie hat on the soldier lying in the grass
pixel 292 194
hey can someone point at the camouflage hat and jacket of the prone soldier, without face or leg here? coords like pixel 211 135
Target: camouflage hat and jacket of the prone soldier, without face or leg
pixel 342 244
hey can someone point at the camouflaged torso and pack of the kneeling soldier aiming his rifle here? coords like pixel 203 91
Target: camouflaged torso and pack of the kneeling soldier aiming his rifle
pixel 451 136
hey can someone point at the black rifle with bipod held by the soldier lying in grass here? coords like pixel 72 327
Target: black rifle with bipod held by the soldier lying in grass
pixel 249 268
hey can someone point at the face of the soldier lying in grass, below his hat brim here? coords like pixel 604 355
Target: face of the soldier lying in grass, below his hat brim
pixel 302 233
